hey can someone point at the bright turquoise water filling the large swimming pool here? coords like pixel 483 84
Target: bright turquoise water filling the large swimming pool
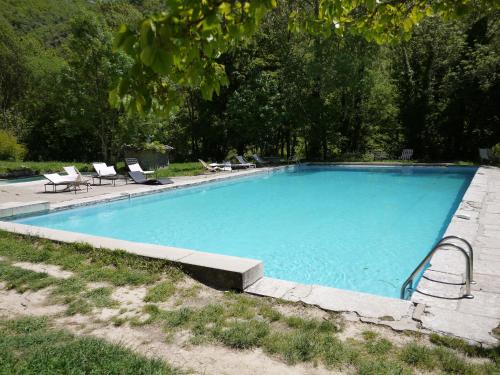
pixel 357 228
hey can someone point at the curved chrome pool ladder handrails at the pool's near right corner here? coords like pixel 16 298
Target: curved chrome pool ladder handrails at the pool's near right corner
pixel 407 287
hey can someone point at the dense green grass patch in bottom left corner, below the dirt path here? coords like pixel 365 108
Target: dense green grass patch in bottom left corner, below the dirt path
pixel 31 346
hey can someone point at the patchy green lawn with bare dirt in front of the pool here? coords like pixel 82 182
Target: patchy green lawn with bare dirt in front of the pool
pixel 189 315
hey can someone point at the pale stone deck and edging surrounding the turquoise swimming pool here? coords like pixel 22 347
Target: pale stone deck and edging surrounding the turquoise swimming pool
pixel 435 306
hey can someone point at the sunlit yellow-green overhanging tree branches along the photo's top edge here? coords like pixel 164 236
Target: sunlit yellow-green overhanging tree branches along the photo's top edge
pixel 180 46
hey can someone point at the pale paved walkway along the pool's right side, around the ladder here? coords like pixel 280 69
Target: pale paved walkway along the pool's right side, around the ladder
pixel 442 288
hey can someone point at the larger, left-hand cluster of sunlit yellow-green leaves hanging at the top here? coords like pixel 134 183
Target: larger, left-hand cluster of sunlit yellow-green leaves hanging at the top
pixel 179 47
